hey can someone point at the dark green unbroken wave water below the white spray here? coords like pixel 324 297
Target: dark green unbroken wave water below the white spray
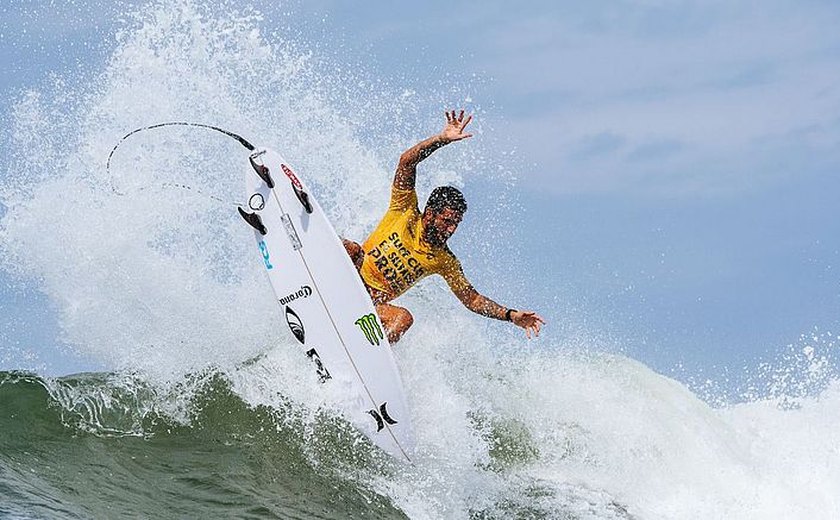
pixel 228 461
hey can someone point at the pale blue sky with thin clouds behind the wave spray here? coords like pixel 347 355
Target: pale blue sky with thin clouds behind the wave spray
pixel 677 160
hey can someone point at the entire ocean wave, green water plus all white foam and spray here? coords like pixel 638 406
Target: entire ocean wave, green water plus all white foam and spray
pixel 208 409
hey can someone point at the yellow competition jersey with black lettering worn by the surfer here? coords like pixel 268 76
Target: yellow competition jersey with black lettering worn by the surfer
pixel 396 257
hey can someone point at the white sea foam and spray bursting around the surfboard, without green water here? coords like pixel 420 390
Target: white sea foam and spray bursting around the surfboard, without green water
pixel 165 281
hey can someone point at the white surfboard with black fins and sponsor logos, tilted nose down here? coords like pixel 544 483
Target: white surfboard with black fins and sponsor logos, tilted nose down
pixel 322 299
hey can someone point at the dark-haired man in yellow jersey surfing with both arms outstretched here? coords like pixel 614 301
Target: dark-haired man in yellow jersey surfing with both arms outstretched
pixel 408 245
